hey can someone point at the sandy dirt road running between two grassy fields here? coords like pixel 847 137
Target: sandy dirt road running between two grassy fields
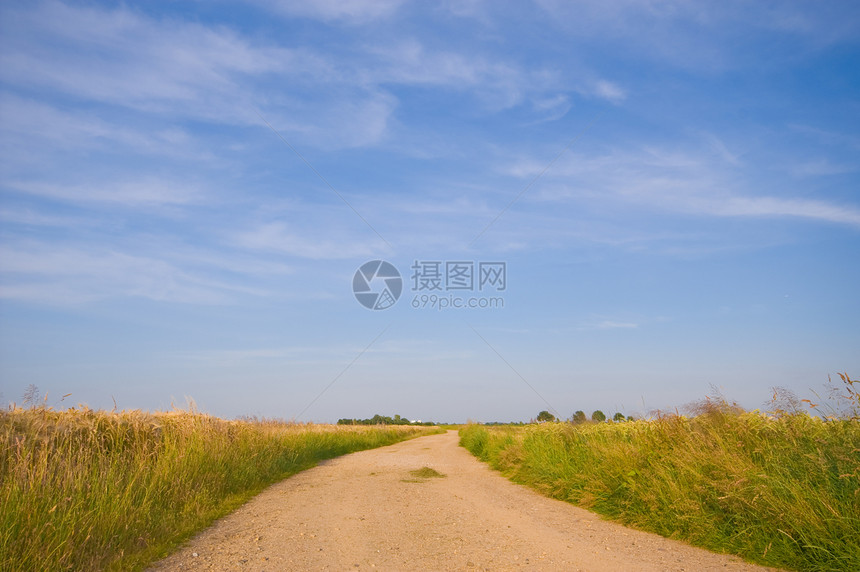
pixel 367 511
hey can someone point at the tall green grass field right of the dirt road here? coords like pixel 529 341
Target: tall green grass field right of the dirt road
pixel 777 491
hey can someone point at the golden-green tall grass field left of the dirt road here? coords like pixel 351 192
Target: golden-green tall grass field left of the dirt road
pixel 93 490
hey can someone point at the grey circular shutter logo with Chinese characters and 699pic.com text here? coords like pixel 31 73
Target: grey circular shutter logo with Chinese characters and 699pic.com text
pixel 436 284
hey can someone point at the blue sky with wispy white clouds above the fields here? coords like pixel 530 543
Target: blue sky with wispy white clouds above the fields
pixel 667 192
